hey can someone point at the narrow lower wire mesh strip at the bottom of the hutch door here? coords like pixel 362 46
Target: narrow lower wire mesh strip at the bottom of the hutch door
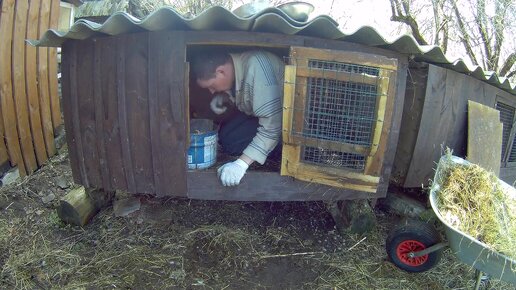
pixel 332 158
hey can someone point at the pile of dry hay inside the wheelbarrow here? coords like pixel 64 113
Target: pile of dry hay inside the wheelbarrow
pixel 473 201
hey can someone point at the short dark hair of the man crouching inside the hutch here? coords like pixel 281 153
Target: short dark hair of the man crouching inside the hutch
pixel 204 64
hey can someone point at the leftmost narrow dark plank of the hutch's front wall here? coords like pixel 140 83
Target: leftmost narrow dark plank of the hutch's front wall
pixel 69 92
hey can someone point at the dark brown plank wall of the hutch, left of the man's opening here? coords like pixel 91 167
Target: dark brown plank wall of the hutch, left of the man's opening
pixel 125 112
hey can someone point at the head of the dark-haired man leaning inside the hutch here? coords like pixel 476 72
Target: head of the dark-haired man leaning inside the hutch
pixel 214 71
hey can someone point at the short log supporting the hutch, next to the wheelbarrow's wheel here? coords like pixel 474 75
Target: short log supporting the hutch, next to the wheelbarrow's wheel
pixel 353 216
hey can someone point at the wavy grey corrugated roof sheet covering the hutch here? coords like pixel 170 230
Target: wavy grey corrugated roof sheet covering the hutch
pixel 270 20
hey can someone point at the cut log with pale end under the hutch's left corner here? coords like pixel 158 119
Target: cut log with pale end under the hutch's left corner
pixel 79 205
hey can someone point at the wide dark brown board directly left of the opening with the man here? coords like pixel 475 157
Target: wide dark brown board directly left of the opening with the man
pixel 170 52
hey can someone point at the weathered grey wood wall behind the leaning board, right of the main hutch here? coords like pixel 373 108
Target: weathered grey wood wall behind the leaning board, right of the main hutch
pixel 443 120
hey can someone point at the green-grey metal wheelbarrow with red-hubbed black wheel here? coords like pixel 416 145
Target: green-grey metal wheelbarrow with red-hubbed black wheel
pixel 416 246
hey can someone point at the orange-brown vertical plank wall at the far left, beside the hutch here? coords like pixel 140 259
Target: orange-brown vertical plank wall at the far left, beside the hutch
pixel 29 100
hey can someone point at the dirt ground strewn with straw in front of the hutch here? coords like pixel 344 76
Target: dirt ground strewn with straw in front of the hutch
pixel 189 244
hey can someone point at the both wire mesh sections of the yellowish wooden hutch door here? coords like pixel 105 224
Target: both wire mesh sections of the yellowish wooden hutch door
pixel 340 105
